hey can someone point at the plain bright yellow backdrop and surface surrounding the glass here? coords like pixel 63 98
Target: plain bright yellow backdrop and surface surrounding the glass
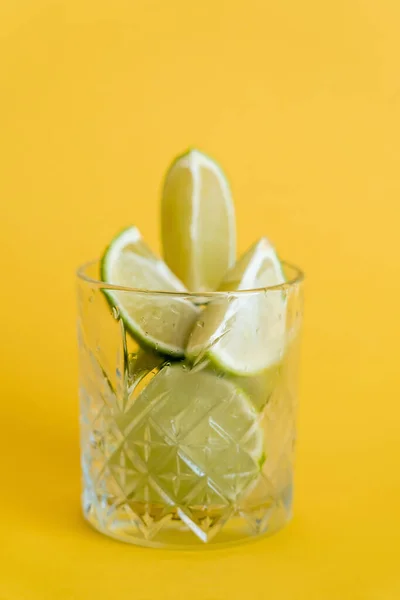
pixel 300 102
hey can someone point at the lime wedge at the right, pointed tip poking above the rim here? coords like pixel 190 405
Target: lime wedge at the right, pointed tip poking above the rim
pixel 244 334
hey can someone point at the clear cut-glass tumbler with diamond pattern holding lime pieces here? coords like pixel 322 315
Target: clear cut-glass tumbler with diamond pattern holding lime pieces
pixel 184 453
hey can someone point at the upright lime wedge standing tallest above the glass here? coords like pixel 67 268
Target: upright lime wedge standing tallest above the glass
pixel 198 221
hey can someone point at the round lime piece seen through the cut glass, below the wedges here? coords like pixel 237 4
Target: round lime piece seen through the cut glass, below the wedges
pixel 188 429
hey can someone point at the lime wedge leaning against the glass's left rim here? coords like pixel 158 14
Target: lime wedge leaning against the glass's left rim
pixel 159 322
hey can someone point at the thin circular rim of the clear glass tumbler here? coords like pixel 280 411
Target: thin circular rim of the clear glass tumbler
pixel 297 278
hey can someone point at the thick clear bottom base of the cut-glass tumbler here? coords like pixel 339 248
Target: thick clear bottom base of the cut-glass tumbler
pixel 157 526
